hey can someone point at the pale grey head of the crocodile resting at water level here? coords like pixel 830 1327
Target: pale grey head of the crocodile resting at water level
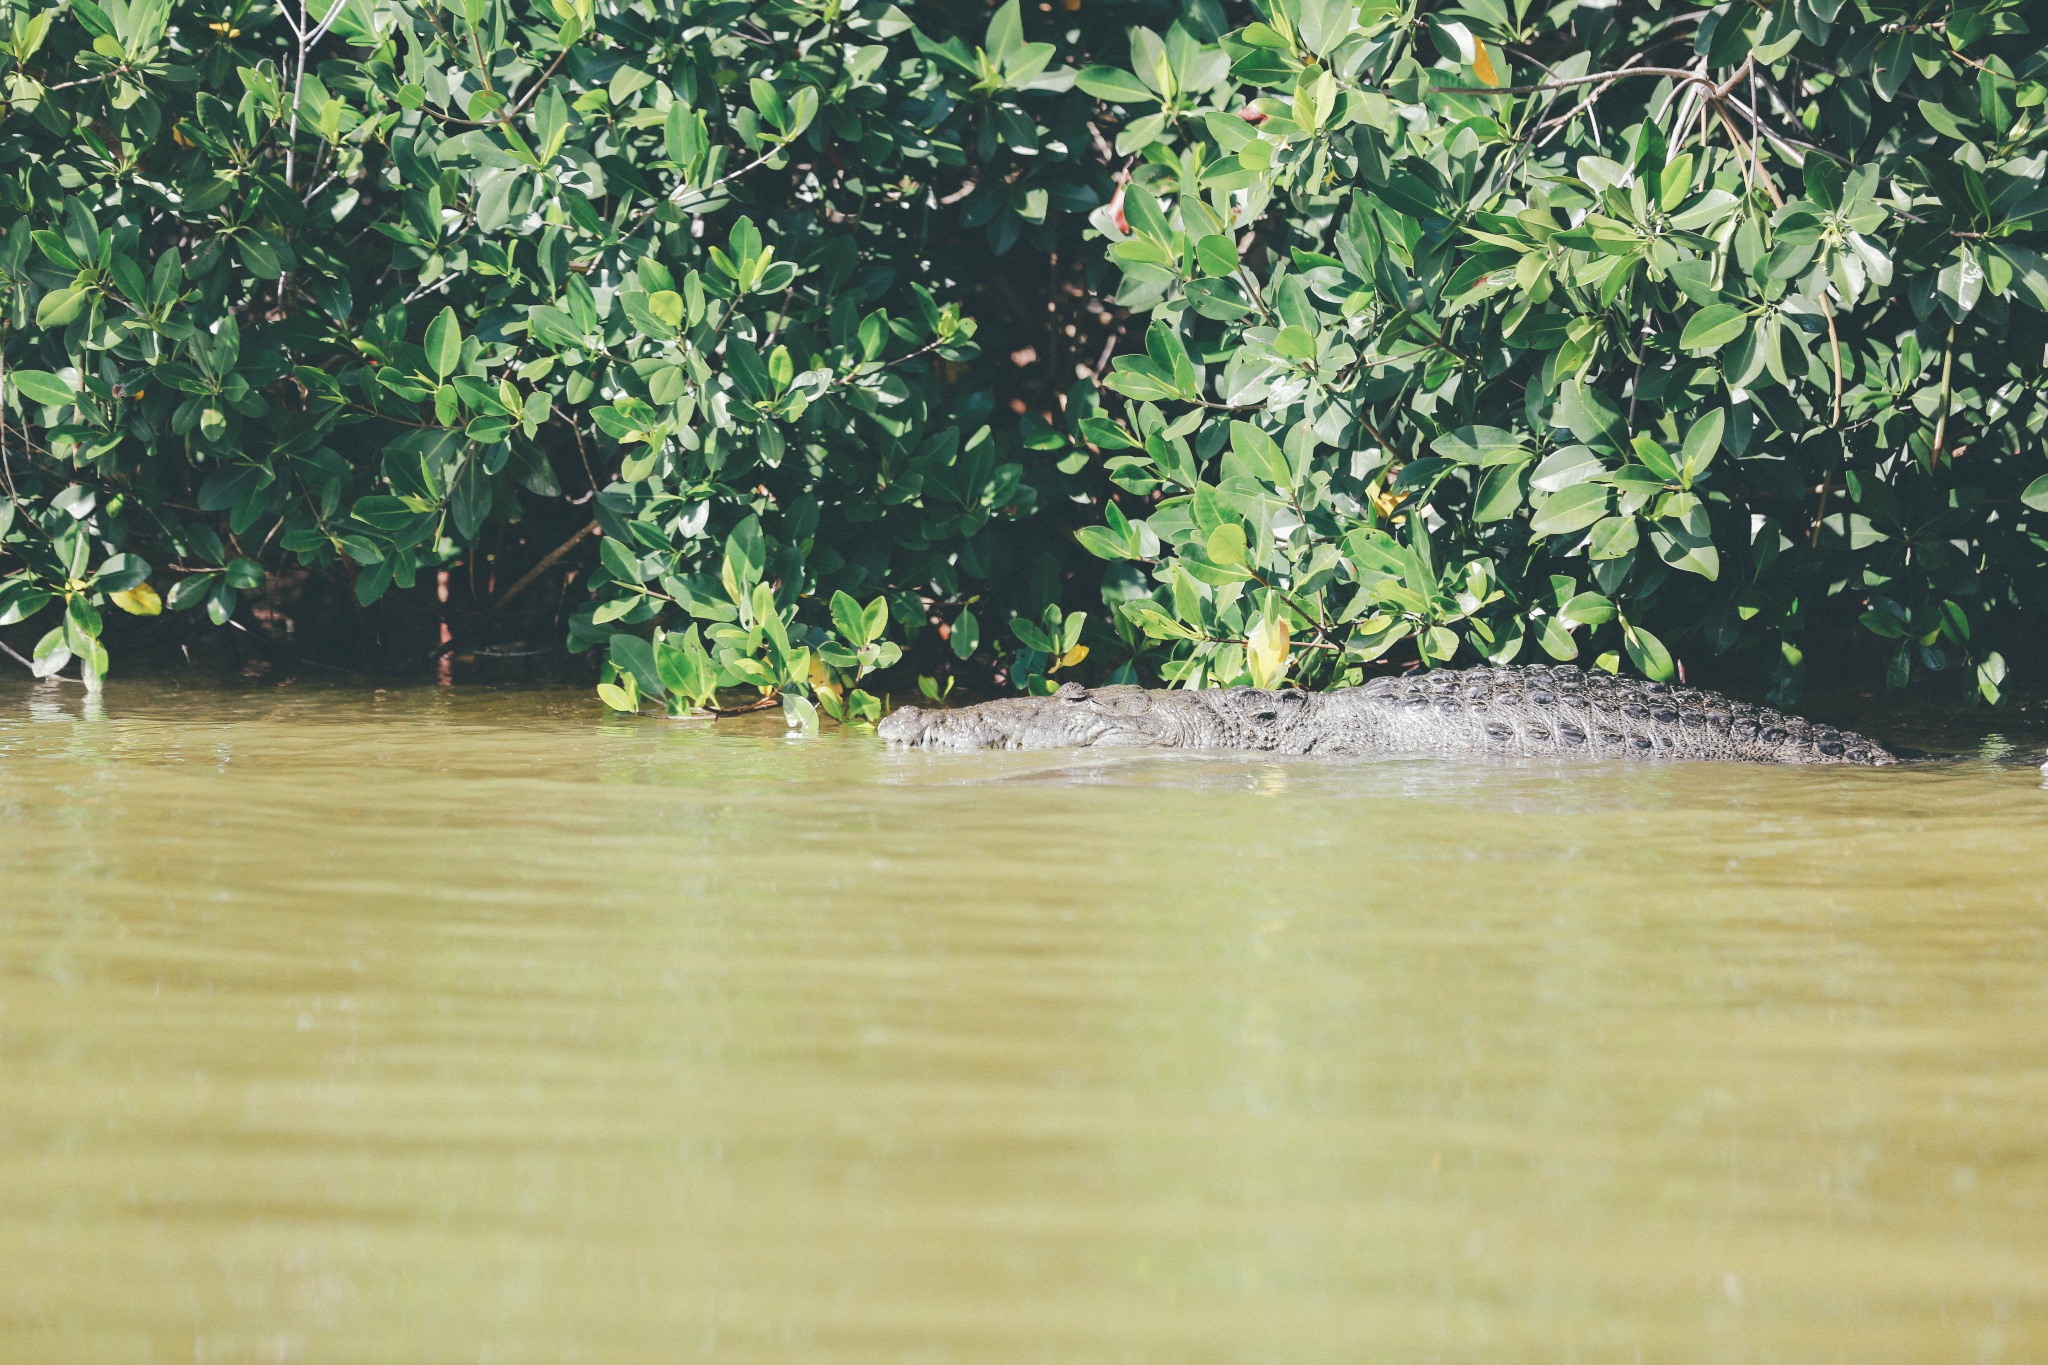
pixel 1074 717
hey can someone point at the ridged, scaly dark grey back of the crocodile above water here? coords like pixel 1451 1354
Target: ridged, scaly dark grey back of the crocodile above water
pixel 1588 713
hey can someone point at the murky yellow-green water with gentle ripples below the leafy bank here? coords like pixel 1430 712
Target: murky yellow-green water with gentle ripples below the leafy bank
pixel 470 1026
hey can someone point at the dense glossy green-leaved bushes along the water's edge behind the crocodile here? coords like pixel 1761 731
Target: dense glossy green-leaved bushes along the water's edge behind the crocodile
pixel 792 355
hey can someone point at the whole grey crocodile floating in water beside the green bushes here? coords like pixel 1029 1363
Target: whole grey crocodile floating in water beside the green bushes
pixel 1490 711
